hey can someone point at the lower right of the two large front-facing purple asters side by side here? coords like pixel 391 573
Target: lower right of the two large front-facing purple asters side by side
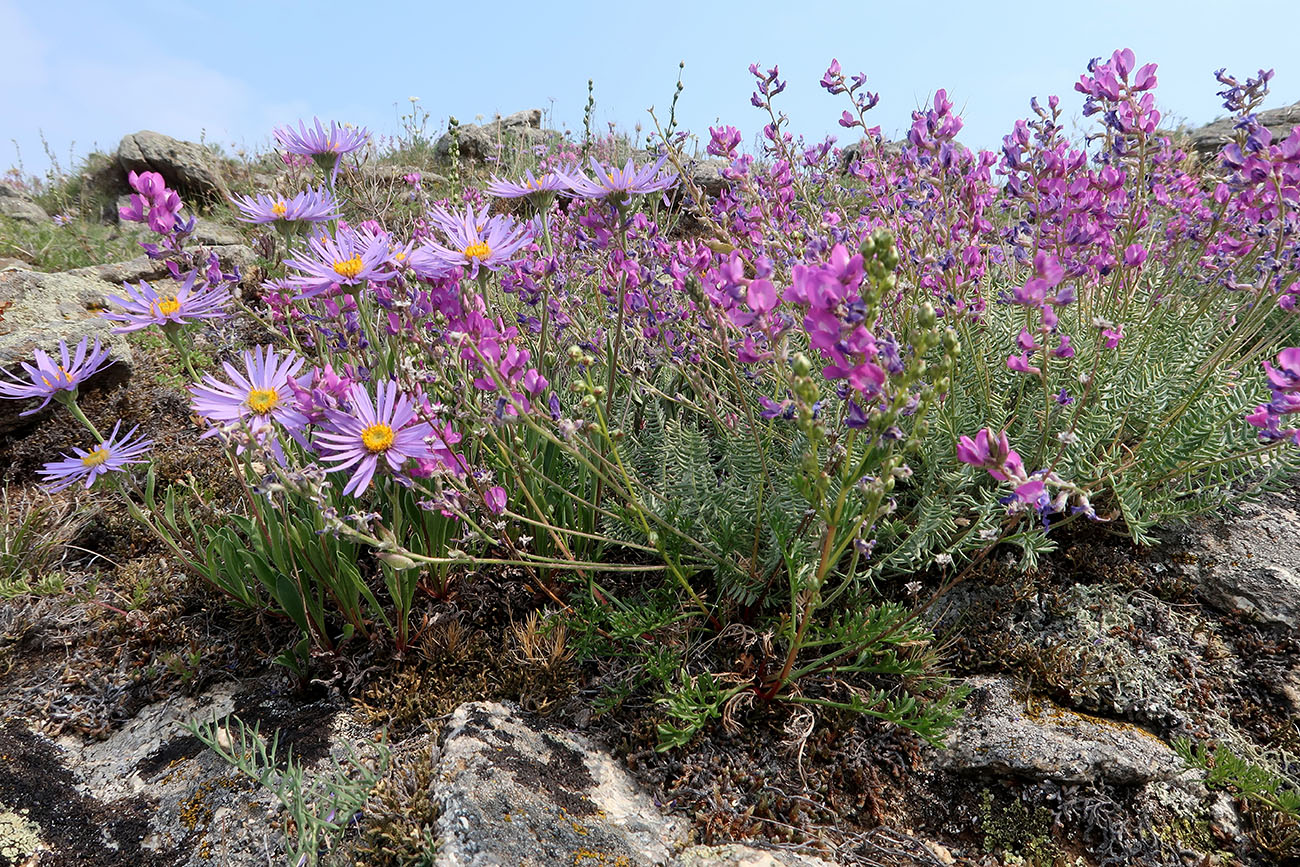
pixel 388 428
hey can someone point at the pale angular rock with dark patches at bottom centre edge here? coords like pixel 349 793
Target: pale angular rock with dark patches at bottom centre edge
pixel 519 796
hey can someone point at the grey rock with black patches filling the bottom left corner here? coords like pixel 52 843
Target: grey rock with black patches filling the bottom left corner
pixel 151 795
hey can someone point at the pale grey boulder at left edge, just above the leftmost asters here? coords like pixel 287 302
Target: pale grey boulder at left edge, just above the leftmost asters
pixel 42 310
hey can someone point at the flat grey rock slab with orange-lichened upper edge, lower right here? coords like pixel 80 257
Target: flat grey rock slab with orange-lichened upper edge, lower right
pixel 1000 734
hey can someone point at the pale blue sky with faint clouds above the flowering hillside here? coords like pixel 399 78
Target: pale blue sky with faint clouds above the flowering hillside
pixel 85 73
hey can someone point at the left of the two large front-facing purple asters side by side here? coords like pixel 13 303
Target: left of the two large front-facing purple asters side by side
pixel 259 395
